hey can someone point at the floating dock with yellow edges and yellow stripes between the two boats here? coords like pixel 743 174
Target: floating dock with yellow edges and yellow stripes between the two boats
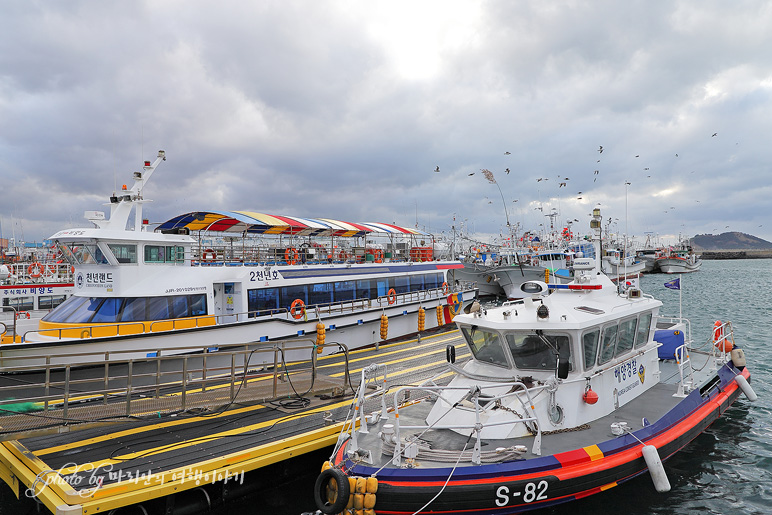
pixel 107 465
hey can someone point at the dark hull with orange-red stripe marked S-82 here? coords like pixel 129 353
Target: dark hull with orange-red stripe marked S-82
pixel 539 482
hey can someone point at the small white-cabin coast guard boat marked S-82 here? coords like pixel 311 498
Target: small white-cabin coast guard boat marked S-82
pixel 567 393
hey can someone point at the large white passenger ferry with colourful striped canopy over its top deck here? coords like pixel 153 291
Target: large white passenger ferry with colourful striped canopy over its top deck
pixel 212 278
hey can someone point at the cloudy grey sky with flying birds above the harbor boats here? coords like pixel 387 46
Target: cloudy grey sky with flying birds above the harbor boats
pixel 344 109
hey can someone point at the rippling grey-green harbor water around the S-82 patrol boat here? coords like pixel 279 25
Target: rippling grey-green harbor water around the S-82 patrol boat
pixel 725 470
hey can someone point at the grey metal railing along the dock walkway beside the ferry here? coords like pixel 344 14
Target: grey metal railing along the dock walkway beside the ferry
pixel 99 391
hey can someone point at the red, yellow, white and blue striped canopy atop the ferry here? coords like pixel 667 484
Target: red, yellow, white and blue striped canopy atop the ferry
pixel 261 223
